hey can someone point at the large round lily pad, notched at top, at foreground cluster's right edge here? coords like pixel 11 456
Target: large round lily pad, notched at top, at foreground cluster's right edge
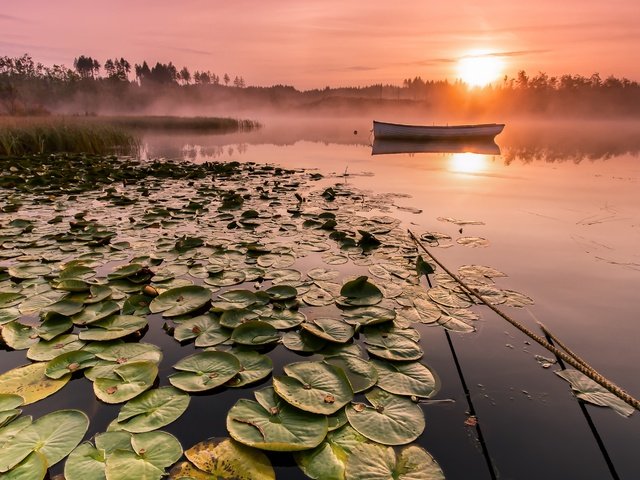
pixel 391 420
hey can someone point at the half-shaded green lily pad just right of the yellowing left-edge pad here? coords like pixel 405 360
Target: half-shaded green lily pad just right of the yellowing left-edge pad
pixel 125 382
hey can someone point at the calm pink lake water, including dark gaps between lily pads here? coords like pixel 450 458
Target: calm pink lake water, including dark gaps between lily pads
pixel 556 210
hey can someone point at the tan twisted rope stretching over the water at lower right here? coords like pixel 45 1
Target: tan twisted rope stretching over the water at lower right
pixel 572 359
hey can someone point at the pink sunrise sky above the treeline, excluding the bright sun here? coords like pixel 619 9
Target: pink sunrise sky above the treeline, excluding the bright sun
pixel 312 44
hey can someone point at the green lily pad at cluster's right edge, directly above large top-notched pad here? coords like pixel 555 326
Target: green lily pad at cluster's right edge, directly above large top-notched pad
pixel 406 378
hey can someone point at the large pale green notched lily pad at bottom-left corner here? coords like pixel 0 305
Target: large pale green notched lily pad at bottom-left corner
pixel 54 435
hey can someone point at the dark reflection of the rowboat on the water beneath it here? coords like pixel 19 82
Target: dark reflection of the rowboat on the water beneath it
pixel 387 147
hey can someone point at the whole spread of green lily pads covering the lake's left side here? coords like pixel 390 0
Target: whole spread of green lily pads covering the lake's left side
pixel 238 260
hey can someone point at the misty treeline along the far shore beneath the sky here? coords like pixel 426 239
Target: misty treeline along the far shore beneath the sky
pixel 117 87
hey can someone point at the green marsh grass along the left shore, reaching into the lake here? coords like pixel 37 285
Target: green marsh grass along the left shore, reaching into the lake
pixel 99 135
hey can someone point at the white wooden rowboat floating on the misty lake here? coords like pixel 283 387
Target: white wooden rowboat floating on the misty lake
pixel 396 131
